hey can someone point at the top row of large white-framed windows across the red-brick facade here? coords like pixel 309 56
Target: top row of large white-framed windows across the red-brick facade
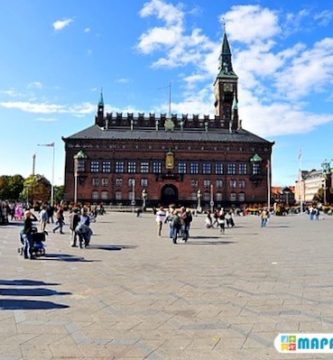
pixel 183 167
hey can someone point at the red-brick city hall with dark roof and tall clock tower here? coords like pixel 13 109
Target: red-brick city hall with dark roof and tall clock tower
pixel 151 159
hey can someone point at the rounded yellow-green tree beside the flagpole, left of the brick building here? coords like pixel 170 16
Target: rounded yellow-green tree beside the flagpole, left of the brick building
pixel 36 188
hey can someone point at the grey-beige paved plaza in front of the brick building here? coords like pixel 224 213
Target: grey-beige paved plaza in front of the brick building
pixel 134 295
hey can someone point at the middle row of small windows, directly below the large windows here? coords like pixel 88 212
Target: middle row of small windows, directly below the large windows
pixel 233 184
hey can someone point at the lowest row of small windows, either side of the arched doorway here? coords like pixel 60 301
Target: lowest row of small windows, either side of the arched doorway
pixel 104 195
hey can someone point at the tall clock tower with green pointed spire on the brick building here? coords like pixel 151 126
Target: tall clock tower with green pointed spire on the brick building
pixel 226 90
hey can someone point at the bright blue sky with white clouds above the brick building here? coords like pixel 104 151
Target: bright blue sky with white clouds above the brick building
pixel 55 56
